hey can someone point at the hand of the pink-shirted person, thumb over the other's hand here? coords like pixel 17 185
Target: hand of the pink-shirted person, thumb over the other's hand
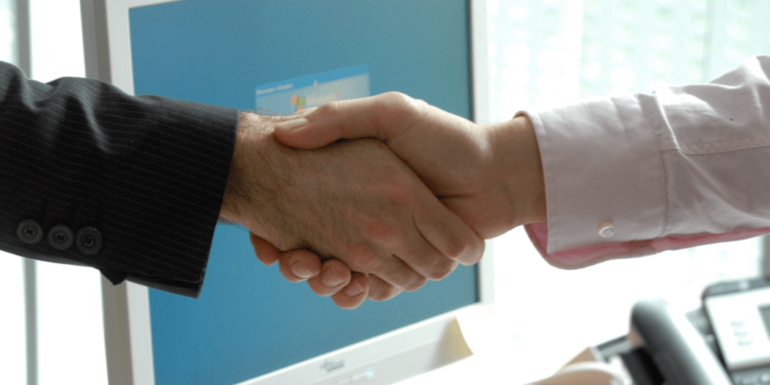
pixel 489 175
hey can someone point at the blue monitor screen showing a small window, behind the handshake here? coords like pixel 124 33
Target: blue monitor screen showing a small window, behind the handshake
pixel 283 56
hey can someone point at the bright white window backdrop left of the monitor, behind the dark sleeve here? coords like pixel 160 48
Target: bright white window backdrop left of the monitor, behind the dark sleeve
pixel 70 339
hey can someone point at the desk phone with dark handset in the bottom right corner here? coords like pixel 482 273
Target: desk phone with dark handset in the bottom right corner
pixel 726 341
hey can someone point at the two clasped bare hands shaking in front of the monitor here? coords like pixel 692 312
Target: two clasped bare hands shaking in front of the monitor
pixel 370 197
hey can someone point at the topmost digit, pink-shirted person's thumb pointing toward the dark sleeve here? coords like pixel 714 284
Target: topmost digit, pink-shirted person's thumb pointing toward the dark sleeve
pixel 349 119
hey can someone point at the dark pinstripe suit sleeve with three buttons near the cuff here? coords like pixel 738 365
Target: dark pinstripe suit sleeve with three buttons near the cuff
pixel 148 173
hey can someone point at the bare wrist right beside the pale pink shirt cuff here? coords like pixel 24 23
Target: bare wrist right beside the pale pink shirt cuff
pixel 518 171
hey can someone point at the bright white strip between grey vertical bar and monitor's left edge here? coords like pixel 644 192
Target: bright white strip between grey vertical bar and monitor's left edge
pixel 71 334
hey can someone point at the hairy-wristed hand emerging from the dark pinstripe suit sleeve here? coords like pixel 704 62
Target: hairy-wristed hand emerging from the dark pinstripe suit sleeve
pixel 353 201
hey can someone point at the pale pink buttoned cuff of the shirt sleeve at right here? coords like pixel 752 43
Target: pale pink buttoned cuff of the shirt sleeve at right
pixel 601 167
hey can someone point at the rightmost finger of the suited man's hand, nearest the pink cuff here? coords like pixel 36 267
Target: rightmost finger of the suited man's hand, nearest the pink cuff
pixel 449 234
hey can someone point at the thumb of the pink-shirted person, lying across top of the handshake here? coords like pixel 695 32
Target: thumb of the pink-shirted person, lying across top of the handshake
pixel 349 119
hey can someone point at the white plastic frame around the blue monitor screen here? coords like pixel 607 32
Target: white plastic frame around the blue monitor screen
pixel 128 335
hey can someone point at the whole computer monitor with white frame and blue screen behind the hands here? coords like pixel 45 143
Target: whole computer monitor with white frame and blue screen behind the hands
pixel 250 326
